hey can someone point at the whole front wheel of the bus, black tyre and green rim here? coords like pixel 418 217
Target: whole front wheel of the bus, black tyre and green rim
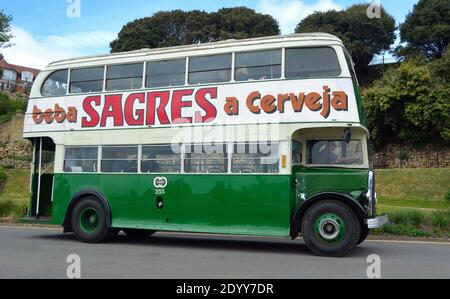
pixel 331 228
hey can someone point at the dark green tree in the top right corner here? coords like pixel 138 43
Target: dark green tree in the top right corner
pixel 426 29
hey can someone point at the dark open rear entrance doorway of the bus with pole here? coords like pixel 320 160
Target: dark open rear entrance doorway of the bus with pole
pixel 41 179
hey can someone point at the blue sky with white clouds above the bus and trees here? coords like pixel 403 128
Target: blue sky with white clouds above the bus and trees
pixel 50 30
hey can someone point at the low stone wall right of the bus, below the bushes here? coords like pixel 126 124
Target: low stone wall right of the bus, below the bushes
pixel 402 156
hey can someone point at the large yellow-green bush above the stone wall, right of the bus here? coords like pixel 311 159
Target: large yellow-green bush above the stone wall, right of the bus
pixel 409 104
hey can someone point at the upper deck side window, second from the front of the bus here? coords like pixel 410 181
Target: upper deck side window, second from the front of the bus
pixel 262 65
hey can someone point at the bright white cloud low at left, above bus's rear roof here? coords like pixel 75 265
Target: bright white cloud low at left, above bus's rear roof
pixel 37 52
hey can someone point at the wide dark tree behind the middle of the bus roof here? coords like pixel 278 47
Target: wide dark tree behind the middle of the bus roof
pixel 177 27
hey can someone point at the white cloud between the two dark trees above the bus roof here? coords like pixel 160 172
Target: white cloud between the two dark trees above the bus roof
pixel 289 13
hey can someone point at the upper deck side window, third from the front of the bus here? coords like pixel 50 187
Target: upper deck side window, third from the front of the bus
pixel 210 69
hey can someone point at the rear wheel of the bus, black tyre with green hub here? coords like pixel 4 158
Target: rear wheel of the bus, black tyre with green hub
pixel 90 223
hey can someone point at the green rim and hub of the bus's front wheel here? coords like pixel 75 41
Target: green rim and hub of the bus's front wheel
pixel 330 228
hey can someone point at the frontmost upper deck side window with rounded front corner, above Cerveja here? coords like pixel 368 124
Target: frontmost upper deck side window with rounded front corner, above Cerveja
pixel 311 63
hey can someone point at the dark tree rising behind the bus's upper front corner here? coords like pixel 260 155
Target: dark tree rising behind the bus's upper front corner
pixel 362 36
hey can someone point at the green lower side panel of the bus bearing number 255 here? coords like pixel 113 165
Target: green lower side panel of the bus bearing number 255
pixel 225 204
